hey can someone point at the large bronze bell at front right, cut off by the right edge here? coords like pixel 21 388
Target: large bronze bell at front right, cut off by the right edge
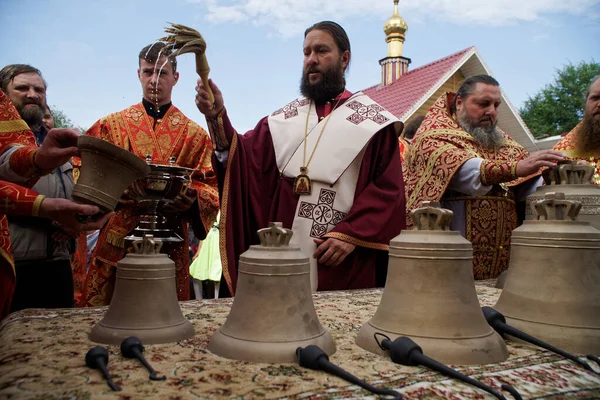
pixel 552 289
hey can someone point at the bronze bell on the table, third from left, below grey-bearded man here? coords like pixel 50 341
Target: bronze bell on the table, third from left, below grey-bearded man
pixel 430 295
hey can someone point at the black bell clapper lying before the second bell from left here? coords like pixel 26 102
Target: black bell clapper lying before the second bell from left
pixel 314 358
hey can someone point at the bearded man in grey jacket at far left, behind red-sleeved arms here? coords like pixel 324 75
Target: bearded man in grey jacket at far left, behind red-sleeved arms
pixel 41 248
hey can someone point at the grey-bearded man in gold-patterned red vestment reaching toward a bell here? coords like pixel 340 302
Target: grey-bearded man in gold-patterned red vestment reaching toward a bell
pixel 460 158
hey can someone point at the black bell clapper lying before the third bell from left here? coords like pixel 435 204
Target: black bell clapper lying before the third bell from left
pixel 405 351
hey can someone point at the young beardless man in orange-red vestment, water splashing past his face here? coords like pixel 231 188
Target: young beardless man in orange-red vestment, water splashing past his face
pixel 157 128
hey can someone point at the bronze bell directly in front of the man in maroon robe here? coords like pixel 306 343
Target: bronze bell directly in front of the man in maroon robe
pixel 273 312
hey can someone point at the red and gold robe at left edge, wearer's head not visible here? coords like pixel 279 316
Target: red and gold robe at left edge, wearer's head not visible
pixel 14 199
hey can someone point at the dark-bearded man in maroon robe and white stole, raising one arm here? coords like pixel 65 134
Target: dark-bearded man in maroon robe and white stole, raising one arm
pixel 325 165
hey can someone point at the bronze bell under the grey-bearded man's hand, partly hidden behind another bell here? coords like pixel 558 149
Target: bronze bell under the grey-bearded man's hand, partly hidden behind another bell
pixel 575 180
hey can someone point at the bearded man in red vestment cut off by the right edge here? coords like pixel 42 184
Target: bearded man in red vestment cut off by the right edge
pixel 583 142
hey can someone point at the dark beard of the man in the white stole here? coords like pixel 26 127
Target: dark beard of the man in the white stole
pixel 332 82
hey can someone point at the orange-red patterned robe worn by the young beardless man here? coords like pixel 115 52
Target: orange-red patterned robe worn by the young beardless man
pixel 174 135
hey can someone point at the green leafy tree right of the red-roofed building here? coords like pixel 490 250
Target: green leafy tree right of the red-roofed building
pixel 559 106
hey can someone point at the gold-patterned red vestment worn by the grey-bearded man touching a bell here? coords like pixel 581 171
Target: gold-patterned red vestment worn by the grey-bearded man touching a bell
pixel 437 152
